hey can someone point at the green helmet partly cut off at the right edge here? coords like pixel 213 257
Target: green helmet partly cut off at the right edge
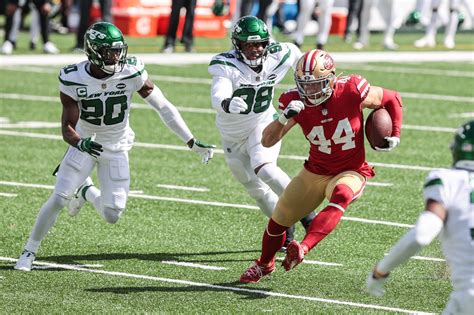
pixel 462 147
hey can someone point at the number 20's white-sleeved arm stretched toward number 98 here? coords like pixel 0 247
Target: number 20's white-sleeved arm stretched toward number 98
pixel 173 120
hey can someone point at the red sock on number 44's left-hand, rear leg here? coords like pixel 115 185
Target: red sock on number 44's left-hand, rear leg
pixel 273 239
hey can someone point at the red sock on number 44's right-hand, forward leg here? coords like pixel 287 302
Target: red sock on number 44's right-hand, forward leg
pixel 328 218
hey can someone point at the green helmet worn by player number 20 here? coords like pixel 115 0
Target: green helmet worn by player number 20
pixel 105 47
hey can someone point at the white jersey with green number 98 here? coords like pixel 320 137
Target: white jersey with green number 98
pixel 257 89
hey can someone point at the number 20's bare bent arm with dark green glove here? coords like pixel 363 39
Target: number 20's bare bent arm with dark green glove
pixel 69 118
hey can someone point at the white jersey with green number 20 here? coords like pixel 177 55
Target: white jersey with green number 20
pixel 104 103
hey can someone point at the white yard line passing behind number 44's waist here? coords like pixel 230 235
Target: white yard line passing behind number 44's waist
pixel 217 151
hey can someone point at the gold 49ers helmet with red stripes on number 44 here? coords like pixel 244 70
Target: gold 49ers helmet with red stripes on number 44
pixel 314 75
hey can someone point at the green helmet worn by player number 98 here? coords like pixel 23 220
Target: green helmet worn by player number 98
pixel 250 29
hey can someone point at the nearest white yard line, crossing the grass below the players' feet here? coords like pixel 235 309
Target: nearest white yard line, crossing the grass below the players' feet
pixel 225 288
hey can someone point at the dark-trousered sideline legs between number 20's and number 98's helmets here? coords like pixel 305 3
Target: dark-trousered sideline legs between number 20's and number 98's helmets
pixel 187 37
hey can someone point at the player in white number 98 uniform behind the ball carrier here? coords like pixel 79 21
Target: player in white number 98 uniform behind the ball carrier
pixel 242 90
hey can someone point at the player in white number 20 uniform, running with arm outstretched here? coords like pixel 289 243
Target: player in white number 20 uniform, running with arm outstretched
pixel 96 95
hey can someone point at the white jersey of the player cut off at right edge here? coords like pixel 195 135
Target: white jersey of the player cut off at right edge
pixel 454 188
